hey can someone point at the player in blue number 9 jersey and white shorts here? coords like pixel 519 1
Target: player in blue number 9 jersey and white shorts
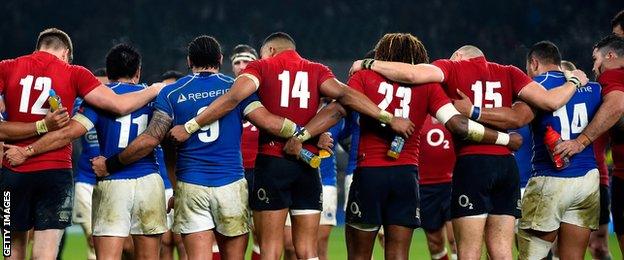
pixel 211 191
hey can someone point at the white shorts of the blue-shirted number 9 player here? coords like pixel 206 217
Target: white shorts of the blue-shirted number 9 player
pixel 200 208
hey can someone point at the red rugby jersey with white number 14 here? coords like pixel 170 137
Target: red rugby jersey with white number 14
pixel 289 87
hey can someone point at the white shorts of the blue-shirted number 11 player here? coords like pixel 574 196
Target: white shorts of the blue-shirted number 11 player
pixel 129 206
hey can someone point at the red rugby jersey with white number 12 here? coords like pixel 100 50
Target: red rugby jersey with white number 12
pixel 25 83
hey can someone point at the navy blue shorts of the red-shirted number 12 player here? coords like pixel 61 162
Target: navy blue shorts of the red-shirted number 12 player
pixel 40 200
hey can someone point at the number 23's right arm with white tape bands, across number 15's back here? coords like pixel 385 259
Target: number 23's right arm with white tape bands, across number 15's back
pixel 467 129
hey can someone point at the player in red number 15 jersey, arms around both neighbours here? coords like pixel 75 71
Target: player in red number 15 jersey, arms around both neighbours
pixel 485 177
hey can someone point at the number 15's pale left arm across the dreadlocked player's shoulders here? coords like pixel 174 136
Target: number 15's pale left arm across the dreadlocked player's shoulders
pixel 401 72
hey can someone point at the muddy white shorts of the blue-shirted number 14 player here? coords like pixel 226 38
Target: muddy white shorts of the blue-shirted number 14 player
pixel 549 201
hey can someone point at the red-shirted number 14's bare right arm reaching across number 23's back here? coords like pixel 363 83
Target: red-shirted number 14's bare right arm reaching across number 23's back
pixel 361 103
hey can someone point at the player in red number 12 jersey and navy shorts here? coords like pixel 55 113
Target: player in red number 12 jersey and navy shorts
pixel 43 184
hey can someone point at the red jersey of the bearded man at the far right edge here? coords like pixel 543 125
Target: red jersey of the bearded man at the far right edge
pixel 613 80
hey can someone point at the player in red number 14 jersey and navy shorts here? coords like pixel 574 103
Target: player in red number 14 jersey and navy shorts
pixel 291 86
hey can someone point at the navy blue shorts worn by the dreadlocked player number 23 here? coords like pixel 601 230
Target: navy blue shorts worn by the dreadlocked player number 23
pixel 384 196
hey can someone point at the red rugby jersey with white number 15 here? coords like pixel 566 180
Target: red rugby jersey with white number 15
pixel 488 85
